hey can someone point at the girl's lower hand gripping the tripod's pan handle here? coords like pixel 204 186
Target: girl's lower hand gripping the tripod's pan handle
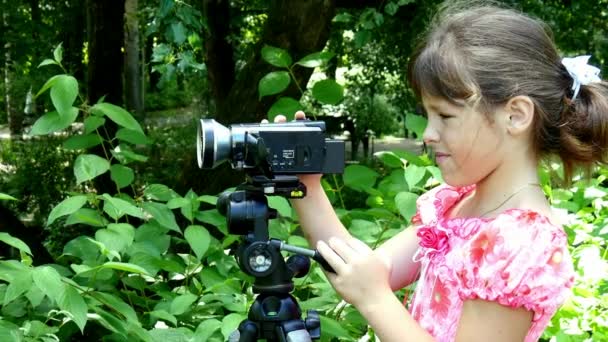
pixel 361 275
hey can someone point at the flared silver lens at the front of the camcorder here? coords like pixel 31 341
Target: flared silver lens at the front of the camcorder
pixel 212 144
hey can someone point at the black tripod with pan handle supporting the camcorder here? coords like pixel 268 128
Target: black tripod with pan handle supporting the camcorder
pixel 275 314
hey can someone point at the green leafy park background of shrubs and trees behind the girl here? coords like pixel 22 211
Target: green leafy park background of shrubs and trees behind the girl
pixel 109 231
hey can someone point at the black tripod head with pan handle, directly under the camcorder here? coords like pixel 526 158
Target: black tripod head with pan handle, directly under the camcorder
pixel 247 213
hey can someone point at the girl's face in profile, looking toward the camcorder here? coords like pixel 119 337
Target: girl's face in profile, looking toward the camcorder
pixel 468 147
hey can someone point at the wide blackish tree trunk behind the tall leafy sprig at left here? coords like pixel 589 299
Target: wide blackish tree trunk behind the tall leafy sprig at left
pixel 105 37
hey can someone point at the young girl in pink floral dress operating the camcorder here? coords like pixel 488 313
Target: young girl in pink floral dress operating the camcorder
pixel 491 260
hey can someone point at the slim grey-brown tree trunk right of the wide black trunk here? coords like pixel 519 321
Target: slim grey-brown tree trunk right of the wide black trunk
pixel 133 80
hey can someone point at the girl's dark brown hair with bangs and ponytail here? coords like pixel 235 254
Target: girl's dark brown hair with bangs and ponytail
pixel 486 55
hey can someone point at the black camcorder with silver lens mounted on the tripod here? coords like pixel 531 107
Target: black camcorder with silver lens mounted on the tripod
pixel 270 149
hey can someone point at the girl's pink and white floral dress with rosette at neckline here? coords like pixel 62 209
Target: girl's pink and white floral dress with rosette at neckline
pixel 518 259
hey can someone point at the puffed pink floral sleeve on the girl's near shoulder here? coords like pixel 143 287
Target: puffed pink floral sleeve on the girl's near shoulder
pixel 518 259
